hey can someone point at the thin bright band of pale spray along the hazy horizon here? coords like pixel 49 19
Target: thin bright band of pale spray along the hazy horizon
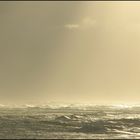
pixel 53 105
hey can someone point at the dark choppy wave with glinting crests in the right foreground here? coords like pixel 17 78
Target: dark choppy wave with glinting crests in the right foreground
pixel 86 124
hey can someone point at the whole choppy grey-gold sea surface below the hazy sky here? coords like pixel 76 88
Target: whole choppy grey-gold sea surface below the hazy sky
pixel 71 121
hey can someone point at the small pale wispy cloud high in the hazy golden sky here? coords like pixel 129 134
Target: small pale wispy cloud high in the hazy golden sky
pixel 85 23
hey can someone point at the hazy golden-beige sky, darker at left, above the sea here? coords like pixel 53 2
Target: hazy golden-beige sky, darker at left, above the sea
pixel 87 52
